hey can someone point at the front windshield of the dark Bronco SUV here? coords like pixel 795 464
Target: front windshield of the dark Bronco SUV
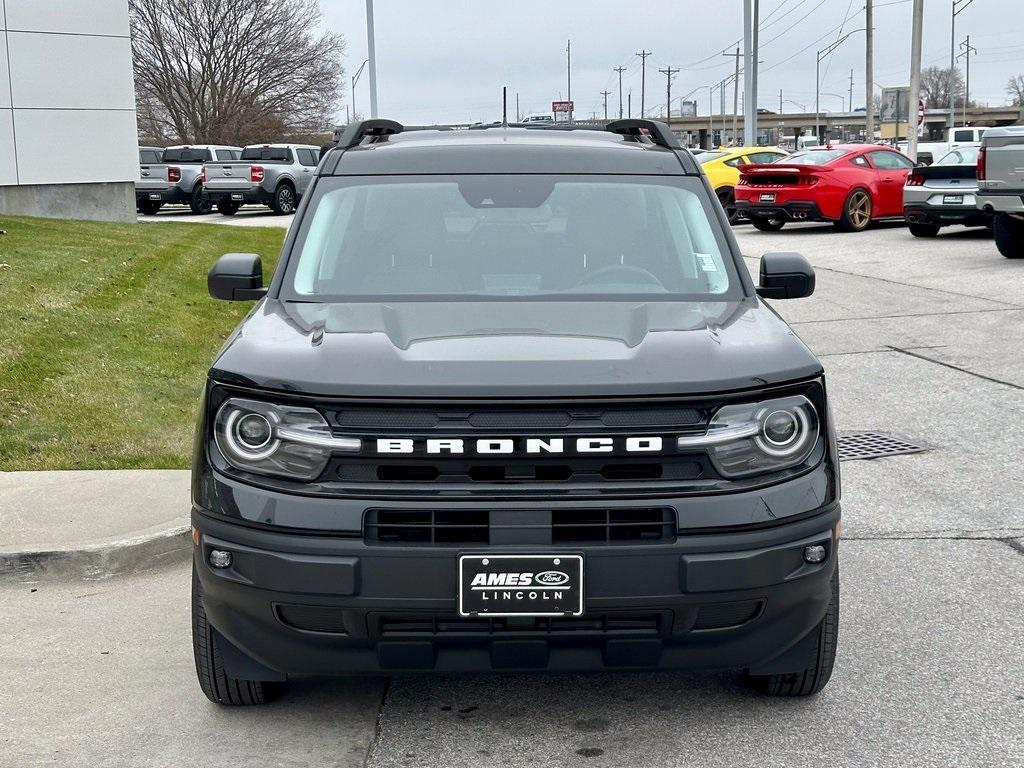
pixel 508 237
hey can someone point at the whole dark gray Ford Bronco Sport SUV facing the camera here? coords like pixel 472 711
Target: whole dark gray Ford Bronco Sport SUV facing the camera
pixel 513 402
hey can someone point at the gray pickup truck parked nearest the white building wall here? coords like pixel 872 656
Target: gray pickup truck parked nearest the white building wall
pixel 176 177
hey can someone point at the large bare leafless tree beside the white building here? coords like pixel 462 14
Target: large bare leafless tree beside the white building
pixel 234 71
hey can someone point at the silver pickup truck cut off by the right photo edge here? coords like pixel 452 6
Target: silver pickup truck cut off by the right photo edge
pixel 1001 187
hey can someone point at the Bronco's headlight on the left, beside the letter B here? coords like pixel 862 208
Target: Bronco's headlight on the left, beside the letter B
pixel 274 440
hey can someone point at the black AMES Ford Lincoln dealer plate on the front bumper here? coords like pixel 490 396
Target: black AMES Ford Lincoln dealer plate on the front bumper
pixel 521 585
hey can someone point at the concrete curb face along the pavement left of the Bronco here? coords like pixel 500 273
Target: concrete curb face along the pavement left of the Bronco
pixel 101 561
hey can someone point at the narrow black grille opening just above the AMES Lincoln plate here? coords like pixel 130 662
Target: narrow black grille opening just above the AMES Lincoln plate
pixel 561 527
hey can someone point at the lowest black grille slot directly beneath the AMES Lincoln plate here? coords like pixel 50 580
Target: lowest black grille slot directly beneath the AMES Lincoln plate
pixel 411 625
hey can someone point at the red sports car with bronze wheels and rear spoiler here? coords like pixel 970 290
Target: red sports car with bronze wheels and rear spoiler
pixel 848 185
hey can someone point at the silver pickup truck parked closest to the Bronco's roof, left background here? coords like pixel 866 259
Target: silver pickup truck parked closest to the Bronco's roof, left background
pixel 275 176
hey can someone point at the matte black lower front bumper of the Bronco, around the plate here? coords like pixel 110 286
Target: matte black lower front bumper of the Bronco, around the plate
pixel 302 604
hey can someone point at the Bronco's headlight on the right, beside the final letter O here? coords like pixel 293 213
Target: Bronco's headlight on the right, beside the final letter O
pixel 757 438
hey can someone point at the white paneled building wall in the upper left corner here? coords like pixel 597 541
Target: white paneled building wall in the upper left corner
pixel 67 94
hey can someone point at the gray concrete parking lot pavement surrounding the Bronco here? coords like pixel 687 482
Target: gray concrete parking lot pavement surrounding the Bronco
pixel 920 338
